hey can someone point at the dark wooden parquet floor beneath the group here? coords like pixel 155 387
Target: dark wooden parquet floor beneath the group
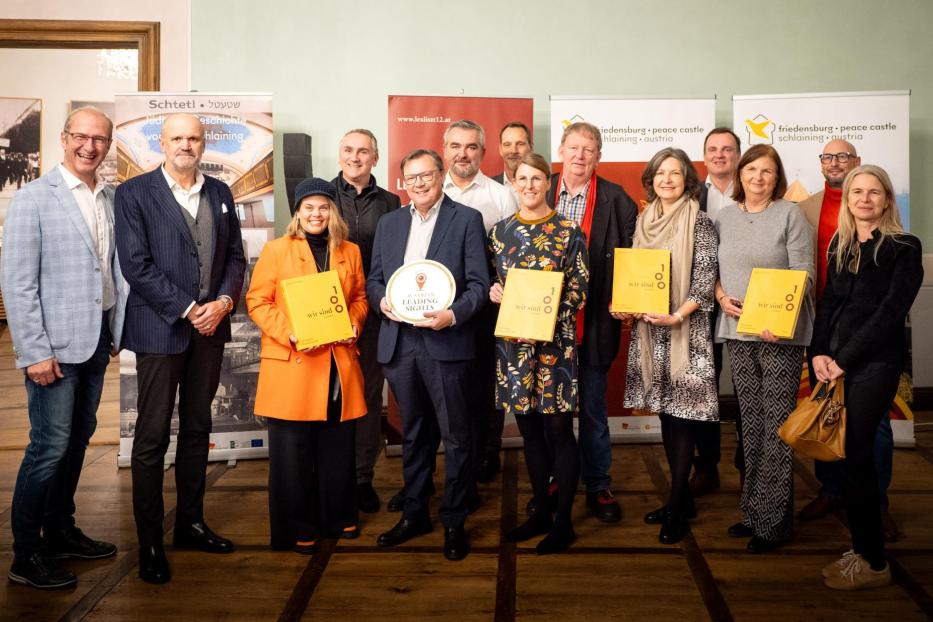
pixel 612 572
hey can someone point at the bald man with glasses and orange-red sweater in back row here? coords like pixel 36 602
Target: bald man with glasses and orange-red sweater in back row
pixel 822 211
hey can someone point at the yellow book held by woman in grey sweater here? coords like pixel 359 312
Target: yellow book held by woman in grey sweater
pixel 772 302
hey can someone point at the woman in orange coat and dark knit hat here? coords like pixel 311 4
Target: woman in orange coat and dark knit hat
pixel 309 397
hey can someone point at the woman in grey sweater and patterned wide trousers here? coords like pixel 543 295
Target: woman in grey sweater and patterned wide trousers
pixel 763 231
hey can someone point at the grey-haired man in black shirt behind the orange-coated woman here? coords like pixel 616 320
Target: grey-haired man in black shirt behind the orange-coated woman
pixel 362 203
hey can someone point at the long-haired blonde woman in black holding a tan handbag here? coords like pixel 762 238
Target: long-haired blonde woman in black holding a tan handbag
pixel 874 273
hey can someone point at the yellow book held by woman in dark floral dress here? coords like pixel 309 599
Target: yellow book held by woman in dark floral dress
pixel 529 304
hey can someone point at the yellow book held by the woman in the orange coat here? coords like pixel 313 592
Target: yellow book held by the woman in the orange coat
pixel 316 308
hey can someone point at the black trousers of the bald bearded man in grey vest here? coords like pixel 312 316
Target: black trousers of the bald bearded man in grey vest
pixel 195 374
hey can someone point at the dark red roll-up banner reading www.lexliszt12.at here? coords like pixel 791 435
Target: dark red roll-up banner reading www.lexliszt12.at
pixel 418 122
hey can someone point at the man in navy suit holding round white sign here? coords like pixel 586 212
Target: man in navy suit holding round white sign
pixel 427 364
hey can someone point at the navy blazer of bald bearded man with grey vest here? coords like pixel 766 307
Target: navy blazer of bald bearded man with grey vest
pixel 160 261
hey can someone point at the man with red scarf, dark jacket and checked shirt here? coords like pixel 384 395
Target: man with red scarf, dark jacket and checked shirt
pixel 607 217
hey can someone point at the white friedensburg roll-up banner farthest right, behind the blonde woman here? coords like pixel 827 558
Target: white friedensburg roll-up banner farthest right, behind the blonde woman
pixel 876 123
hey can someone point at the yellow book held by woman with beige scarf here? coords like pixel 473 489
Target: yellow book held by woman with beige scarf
pixel 641 279
